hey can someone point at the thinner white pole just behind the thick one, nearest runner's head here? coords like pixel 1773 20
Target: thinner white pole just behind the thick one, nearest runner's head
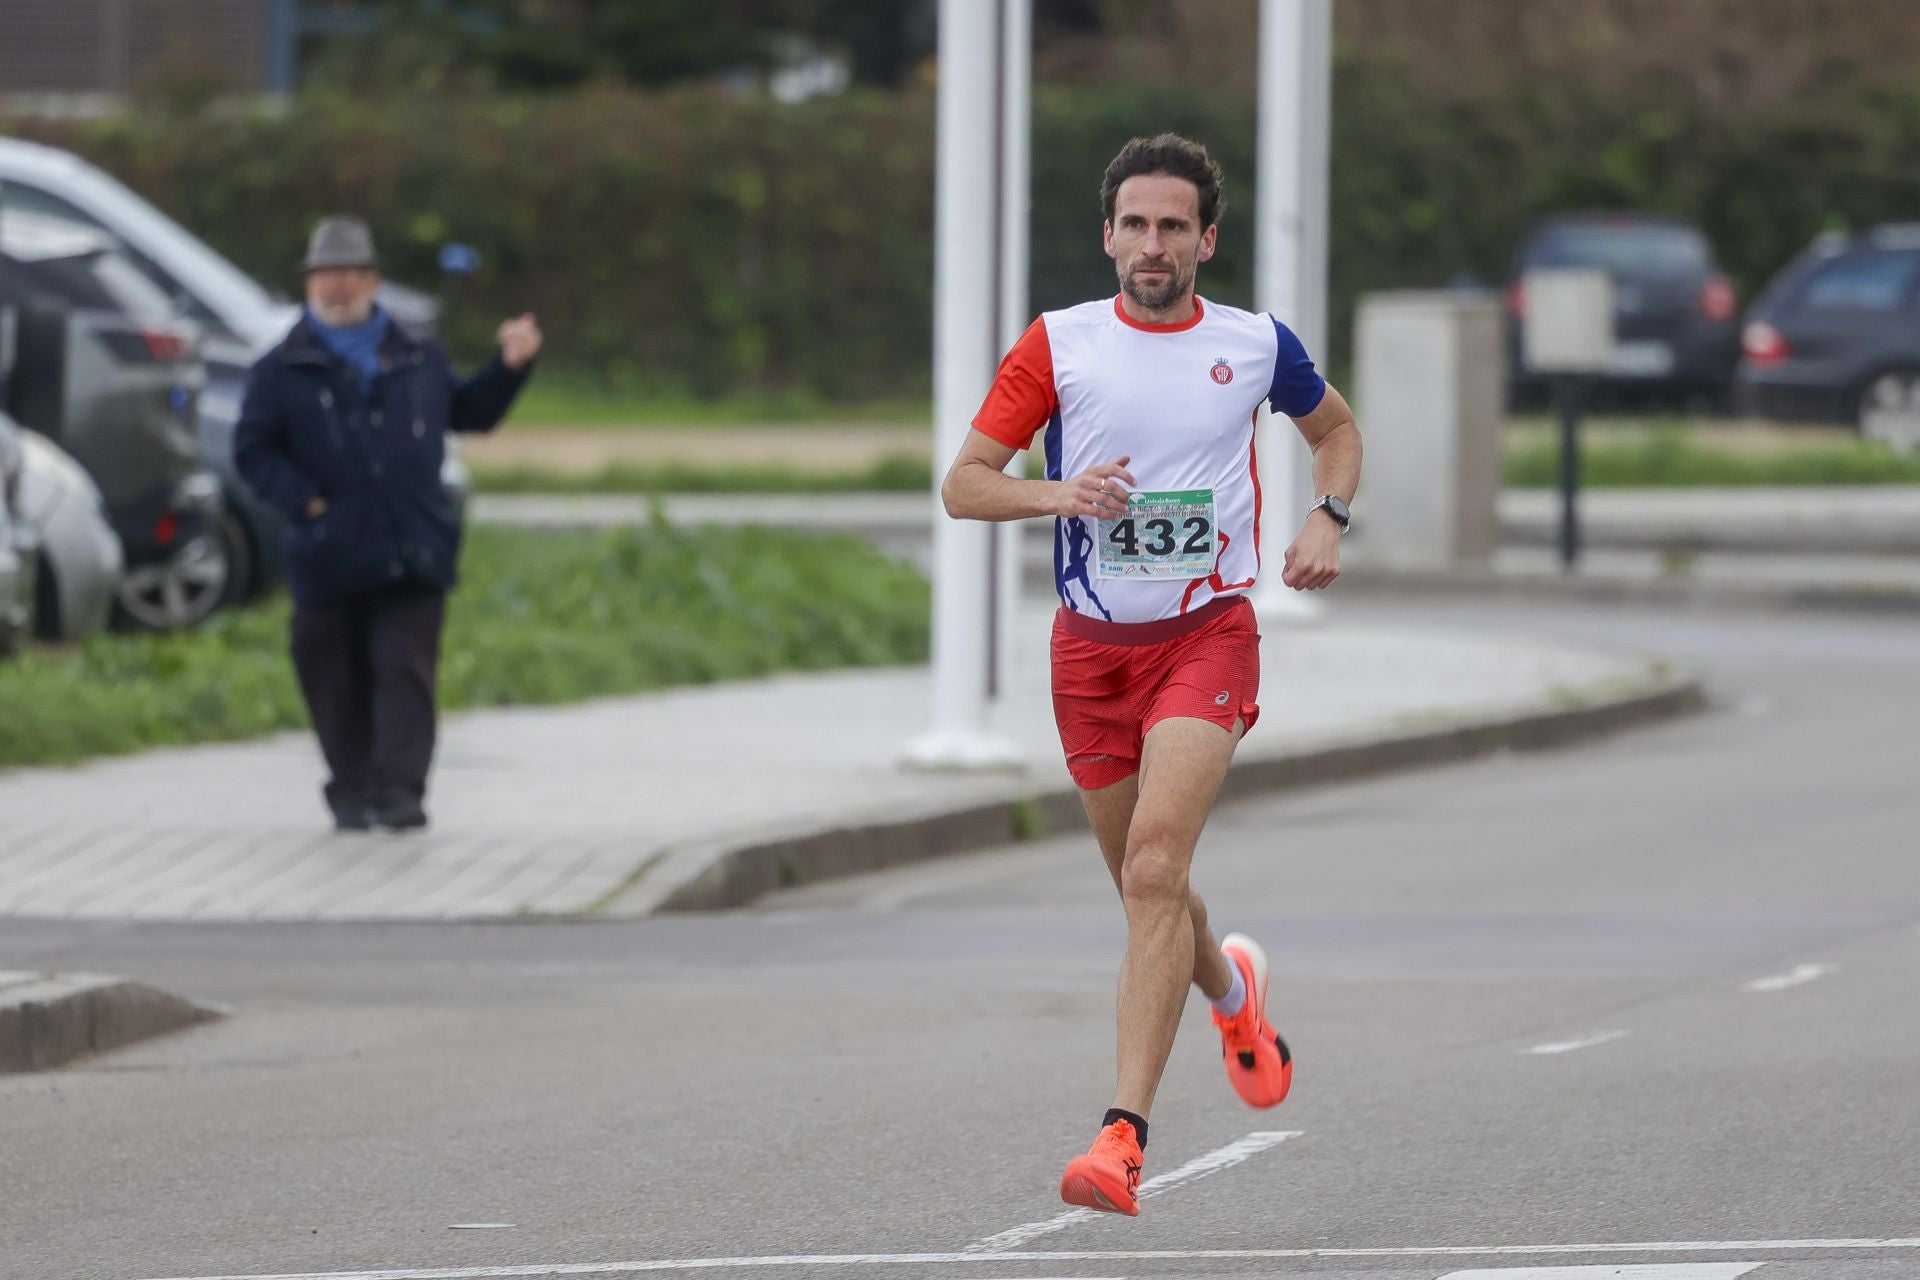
pixel 1017 202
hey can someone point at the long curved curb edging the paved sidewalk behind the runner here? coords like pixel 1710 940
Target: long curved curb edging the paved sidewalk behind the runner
pixel 734 872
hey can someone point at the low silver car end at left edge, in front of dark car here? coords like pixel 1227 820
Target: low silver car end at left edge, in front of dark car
pixel 60 531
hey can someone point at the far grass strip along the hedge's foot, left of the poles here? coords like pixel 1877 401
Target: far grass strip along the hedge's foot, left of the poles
pixel 564 400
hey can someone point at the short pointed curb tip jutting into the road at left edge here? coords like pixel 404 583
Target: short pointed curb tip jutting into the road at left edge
pixel 49 1020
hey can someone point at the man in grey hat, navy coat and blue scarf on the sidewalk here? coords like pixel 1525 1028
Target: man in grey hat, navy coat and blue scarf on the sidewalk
pixel 345 433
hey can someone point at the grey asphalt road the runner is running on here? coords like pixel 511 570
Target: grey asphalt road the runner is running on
pixel 1656 991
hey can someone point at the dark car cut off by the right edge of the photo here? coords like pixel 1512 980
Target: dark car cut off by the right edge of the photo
pixel 1836 337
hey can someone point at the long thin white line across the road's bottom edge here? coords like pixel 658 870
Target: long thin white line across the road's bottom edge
pixel 1084 1256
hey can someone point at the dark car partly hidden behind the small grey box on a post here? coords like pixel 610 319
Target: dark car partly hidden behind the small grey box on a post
pixel 1675 314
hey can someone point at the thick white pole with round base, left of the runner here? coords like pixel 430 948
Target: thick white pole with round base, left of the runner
pixel 967 216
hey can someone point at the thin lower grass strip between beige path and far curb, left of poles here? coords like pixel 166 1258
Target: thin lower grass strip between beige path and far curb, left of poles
pixel 890 475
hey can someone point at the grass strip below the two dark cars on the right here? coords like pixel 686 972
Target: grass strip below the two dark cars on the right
pixel 1679 458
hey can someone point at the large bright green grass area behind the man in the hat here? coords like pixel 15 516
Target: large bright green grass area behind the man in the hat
pixel 539 619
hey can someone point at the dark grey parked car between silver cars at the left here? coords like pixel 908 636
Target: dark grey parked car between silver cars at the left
pixel 107 369
